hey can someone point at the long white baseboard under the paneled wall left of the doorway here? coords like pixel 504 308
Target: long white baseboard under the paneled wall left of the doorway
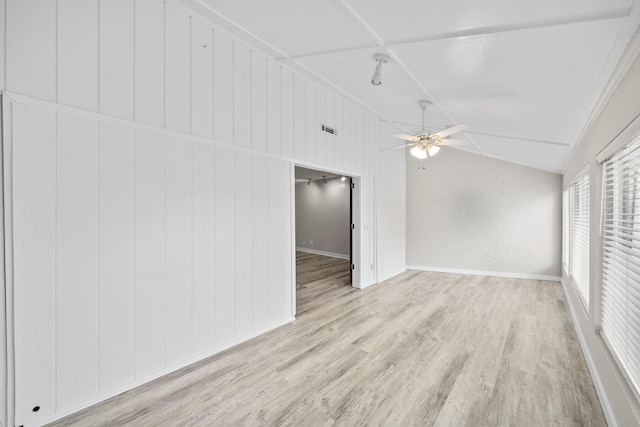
pixel 174 367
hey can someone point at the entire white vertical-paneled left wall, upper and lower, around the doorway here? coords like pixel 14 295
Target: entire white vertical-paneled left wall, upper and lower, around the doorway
pixel 154 247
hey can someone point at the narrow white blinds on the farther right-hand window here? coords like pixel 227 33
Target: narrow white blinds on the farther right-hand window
pixel 579 235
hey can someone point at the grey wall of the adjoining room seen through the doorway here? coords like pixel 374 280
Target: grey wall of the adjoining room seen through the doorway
pixel 322 216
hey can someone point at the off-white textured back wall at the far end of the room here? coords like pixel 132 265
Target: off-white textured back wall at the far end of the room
pixel 469 212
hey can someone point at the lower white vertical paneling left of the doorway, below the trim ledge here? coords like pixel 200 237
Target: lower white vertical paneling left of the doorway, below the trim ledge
pixel 129 256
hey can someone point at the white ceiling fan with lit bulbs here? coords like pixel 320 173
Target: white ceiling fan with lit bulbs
pixel 428 144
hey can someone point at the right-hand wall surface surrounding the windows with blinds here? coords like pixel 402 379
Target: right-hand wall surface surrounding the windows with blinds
pixel 620 404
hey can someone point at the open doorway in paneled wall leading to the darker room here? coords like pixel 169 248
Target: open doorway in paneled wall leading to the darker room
pixel 325 218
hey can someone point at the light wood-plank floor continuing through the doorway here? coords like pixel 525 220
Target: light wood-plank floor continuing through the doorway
pixel 420 349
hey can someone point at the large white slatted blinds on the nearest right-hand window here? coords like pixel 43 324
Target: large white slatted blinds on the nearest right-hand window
pixel 621 265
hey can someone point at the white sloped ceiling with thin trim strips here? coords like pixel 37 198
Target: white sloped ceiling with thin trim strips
pixel 524 75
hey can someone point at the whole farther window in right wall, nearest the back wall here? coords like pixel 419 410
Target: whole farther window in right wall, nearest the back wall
pixel 575 234
